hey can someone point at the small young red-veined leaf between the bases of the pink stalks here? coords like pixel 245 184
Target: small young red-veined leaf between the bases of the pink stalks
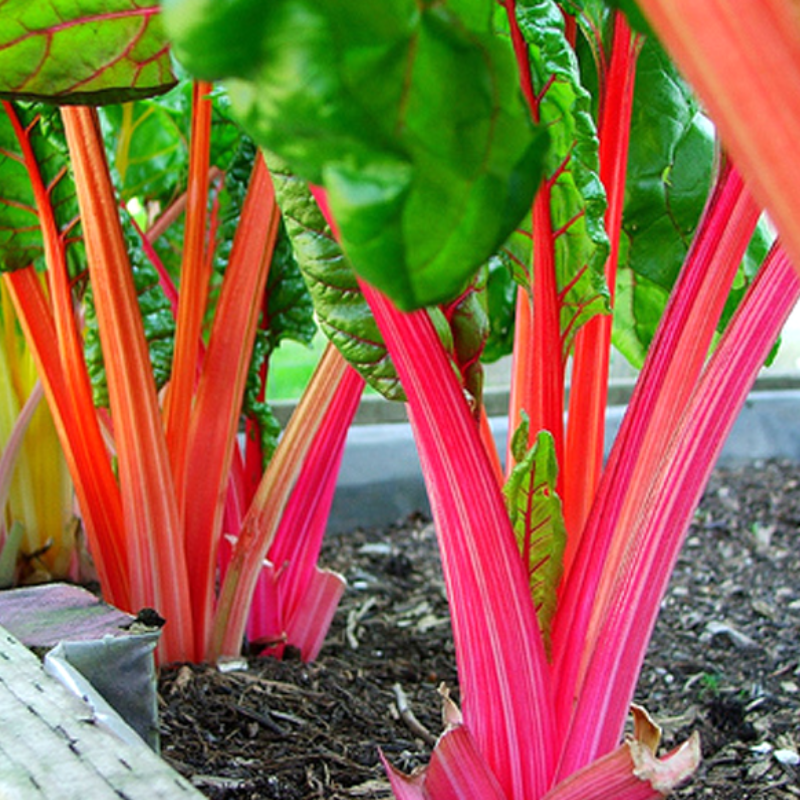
pixel 537 519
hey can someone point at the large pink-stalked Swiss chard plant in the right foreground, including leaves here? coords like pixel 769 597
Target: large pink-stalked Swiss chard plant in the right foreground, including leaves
pixel 436 137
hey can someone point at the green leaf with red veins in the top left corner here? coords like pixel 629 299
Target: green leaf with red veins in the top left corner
pixel 88 52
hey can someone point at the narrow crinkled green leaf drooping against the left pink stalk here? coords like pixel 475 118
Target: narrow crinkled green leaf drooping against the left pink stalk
pixel 342 311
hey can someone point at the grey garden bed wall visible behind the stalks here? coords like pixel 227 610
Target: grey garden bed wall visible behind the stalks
pixel 381 482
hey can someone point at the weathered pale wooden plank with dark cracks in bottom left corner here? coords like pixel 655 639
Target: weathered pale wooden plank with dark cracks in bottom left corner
pixel 51 747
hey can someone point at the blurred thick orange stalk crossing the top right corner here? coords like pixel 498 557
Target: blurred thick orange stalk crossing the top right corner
pixel 743 59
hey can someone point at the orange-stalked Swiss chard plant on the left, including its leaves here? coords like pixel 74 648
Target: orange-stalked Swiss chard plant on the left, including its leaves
pixel 145 258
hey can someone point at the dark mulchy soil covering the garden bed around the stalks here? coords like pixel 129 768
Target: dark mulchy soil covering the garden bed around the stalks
pixel 724 660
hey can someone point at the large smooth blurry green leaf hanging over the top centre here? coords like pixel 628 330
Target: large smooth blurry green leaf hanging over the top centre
pixel 409 114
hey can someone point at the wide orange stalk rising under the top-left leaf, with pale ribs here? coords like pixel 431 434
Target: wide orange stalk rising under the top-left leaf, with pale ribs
pixel 156 547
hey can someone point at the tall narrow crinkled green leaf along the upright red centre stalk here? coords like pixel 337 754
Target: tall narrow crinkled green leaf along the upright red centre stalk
pixel 571 173
